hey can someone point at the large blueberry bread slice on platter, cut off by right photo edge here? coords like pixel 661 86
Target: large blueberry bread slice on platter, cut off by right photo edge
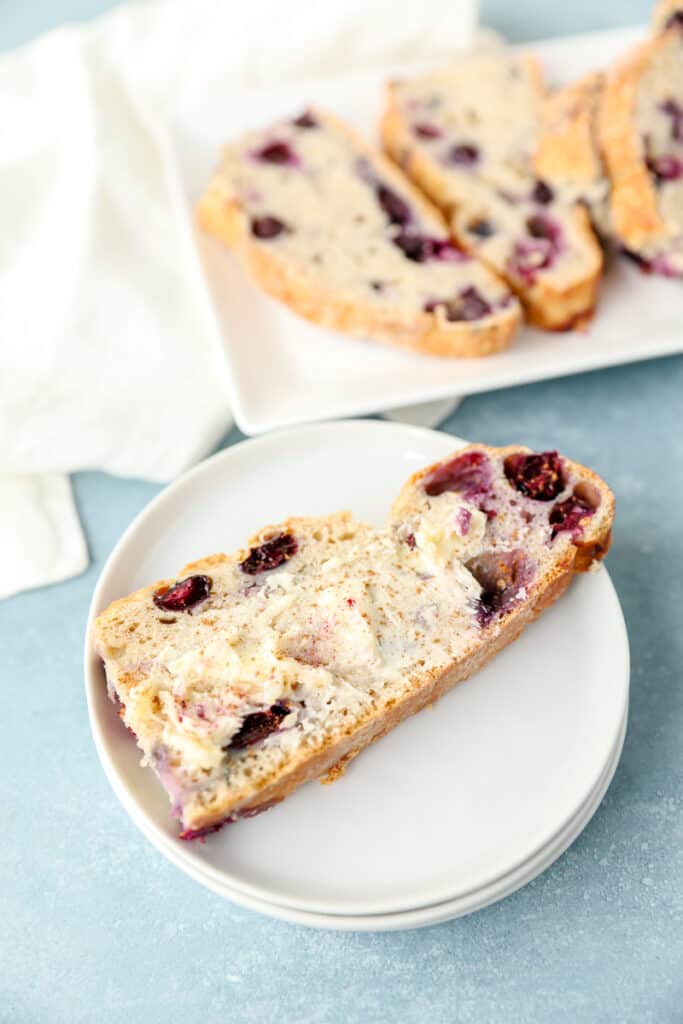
pixel 641 126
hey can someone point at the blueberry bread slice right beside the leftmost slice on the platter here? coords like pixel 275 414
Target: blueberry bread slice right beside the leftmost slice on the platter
pixel 468 137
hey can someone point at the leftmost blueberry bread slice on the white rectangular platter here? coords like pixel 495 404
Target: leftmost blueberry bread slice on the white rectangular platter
pixel 330 227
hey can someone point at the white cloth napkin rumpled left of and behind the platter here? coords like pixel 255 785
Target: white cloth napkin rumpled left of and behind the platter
pixel 109 357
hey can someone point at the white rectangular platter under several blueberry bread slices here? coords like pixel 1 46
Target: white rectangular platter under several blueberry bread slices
pixel 281 370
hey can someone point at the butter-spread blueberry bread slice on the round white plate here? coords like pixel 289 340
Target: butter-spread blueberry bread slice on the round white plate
pixel 253 673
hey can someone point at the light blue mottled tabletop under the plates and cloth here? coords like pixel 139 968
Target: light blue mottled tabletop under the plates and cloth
pixel 97 927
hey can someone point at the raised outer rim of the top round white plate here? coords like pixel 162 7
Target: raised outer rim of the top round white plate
pixel 93 678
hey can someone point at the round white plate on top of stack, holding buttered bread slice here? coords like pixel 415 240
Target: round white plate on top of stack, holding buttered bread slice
pixel 448 804
